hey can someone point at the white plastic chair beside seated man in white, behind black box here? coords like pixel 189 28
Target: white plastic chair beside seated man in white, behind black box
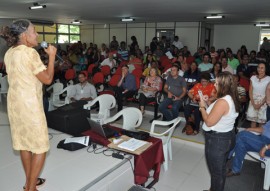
pixel 57 102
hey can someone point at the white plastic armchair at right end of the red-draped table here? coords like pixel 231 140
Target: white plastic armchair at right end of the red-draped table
pixel 166 140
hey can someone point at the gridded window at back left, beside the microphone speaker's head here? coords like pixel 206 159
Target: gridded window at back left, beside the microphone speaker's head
pixel 58 33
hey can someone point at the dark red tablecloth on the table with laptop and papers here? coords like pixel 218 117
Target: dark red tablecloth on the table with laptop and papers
pixel 152 158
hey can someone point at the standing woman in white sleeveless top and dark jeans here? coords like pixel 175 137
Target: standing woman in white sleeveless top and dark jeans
pixel 219 119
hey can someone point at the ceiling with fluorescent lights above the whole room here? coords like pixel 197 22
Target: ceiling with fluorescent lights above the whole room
pixel 111 11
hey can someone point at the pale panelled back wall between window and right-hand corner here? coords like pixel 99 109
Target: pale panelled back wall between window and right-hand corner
pixel 144 32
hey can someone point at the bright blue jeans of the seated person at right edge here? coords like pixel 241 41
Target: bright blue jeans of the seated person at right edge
pixel 247 141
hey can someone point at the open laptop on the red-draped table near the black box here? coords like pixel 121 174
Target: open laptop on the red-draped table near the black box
pixel 99 129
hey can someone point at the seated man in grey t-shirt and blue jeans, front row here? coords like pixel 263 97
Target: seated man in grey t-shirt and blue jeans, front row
pixel 176 89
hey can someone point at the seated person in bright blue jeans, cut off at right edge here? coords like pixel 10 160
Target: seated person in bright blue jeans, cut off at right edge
pixel 248 141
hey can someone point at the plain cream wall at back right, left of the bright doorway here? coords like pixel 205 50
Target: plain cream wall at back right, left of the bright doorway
pixel 234 36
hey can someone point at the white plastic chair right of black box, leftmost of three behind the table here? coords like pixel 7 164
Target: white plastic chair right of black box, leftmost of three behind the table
pixel 106 103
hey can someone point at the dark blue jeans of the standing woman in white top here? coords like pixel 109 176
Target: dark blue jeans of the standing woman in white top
pixel 217 148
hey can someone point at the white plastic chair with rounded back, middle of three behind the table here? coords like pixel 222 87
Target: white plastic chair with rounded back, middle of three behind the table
pixel 132 118
